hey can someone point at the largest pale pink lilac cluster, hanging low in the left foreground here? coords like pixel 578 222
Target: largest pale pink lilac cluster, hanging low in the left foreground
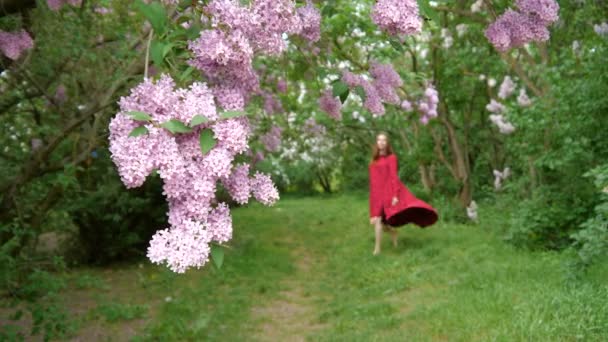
pixel 189 176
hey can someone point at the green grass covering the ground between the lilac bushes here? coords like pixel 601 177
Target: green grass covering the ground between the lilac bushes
pixel 304 270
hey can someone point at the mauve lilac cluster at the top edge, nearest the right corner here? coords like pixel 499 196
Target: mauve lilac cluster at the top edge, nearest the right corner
pixel 516 28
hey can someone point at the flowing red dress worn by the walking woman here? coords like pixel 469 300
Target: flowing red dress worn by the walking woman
pixel 384 184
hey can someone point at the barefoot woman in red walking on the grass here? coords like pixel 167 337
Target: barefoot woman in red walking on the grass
pixel 391 204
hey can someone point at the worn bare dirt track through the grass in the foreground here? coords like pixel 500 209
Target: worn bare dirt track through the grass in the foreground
pixel 293 314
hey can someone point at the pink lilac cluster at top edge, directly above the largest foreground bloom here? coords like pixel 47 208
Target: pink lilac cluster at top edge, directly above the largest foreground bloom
pixel 225 52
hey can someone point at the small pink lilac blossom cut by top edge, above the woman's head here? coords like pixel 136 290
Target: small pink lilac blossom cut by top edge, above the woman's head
pixel 397 16
